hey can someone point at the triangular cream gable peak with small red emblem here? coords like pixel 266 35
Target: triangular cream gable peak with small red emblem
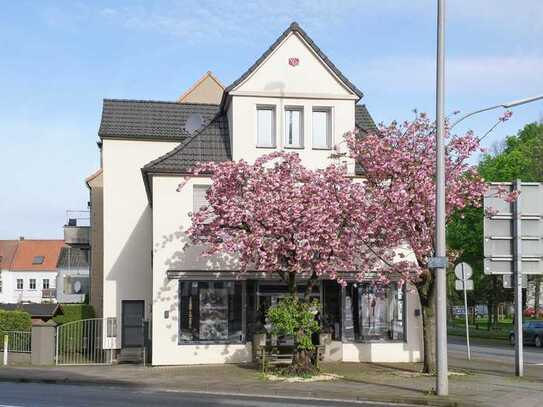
pixel 276 74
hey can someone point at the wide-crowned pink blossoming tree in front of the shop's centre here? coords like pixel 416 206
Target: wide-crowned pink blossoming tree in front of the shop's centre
pixel 277 216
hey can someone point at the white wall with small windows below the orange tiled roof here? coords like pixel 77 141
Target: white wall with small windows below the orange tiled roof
pixel 11 295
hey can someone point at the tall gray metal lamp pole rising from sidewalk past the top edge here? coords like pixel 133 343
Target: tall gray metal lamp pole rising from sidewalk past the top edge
pixel 442 380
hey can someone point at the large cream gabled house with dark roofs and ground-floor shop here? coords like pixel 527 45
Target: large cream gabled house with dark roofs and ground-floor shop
pixel 202 310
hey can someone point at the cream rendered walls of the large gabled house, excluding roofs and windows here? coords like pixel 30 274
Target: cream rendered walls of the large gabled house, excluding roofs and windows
pixel 143 242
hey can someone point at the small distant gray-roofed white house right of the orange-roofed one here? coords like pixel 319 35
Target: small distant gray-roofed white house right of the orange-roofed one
pixel 73 275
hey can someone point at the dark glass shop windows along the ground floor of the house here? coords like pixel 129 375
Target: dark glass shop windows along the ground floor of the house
pixel 231 311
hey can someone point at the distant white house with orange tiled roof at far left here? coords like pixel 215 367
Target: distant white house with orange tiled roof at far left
pixel 31 275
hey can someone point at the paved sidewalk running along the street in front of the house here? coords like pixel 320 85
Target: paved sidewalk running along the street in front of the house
pixel 373 382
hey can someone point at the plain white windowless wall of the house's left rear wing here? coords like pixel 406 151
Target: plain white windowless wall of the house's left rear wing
pixel 127 224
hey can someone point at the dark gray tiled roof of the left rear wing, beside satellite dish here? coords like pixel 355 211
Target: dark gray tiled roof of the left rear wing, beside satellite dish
pixel 150 119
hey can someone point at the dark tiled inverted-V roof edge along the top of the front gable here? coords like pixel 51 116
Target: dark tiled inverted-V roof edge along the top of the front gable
pixel 294 27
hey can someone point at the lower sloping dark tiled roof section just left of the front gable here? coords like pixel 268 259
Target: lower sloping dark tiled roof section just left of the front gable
pixel 212 143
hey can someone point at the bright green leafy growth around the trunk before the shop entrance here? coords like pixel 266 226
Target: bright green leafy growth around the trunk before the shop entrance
pixel 293 317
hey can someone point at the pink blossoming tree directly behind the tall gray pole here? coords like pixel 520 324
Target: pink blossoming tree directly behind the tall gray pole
pixel 398 163
